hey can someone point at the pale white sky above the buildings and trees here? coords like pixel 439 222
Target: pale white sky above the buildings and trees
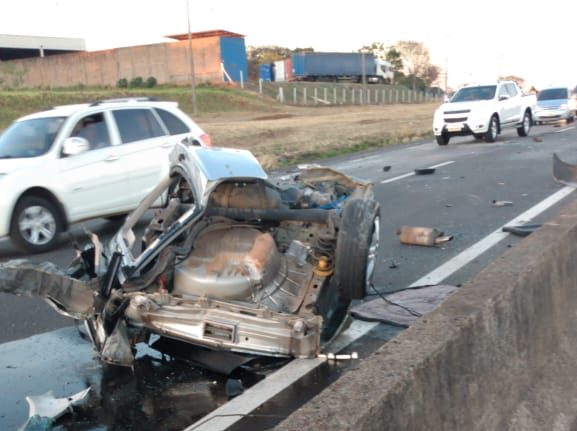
pixel 476 41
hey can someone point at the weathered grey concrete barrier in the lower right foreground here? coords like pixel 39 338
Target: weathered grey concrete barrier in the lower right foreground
pixel 499 354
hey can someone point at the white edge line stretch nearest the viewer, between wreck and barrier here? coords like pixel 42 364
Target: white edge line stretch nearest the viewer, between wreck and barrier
pixel 237 408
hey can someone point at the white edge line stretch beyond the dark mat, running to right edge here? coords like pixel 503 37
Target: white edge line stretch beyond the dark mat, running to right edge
pixel 442 272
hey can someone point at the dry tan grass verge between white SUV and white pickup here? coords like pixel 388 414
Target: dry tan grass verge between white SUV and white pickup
pixel 294 134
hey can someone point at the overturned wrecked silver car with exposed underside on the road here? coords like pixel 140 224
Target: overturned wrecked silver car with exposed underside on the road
pixel 231 260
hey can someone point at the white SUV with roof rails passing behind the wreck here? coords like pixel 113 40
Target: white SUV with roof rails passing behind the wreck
pixel 77 162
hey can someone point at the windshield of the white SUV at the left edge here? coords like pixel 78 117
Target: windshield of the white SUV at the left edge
pixel 29 138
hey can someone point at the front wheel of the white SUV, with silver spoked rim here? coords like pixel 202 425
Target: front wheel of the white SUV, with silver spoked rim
pixel 36 225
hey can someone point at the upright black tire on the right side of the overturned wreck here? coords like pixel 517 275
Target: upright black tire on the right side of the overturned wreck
pixel 357 244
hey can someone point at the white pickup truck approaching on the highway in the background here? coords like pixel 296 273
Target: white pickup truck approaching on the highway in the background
pixel 484 111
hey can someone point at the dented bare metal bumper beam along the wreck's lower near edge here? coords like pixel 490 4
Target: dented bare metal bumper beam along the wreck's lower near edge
pixel 221 324
